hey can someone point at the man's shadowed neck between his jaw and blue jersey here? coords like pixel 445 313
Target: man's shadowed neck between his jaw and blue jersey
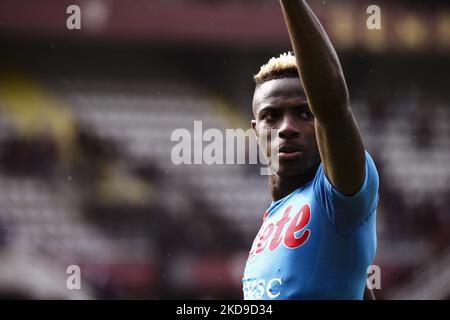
pixel 281 186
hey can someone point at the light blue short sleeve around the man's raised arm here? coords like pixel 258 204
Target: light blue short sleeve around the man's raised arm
pixel 348 213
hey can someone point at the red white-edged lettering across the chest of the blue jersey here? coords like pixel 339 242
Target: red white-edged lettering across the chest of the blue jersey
pixel 286 231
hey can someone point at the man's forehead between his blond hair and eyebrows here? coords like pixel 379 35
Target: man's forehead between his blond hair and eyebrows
pixel 278 91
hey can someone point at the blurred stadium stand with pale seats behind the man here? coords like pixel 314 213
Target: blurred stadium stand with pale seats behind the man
pixel 86 118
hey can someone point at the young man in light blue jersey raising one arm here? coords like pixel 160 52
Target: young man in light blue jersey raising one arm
pixel 318 237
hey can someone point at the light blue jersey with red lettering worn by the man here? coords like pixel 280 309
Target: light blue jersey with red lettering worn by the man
pixel 315 243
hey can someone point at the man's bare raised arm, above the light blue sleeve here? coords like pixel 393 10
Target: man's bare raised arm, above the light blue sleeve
pixel 338 137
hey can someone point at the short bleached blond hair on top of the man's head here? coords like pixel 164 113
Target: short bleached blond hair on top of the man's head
pixel 283 66
